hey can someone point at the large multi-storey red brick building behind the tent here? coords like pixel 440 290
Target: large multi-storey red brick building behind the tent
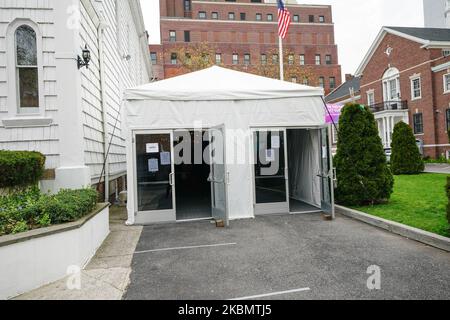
pixel 244 34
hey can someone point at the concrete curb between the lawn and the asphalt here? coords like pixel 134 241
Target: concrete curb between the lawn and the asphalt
pixel 426 237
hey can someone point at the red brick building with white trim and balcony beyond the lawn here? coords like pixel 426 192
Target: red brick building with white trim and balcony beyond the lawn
pixel 405 76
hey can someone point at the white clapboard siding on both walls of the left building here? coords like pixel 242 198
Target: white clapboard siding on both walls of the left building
pixel 121 38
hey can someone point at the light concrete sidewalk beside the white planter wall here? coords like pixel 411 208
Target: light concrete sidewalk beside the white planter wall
pixel 107 275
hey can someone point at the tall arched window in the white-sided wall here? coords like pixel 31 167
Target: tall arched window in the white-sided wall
pixel 27 68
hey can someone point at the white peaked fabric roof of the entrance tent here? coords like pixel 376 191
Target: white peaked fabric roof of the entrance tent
pixel 216 83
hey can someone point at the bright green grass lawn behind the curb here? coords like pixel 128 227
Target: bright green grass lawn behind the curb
pixel 418 201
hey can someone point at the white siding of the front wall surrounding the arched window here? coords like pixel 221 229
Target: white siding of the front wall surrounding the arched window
pixel 43 139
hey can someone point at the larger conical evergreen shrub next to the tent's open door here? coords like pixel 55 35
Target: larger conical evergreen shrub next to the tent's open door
pixel 362 171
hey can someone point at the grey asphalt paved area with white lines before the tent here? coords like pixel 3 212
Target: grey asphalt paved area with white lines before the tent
pixel 276 254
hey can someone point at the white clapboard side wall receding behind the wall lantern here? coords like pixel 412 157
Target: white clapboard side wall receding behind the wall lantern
pixel 120 38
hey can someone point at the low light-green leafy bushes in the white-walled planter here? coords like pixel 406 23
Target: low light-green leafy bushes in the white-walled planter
pixel 30 209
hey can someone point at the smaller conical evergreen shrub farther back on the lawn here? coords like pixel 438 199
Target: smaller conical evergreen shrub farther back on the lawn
pixel 406 157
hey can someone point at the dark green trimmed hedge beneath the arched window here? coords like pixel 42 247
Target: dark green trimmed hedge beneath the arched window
pixel 19 169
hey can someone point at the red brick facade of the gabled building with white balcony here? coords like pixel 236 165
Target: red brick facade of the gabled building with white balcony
pixel 413 61
